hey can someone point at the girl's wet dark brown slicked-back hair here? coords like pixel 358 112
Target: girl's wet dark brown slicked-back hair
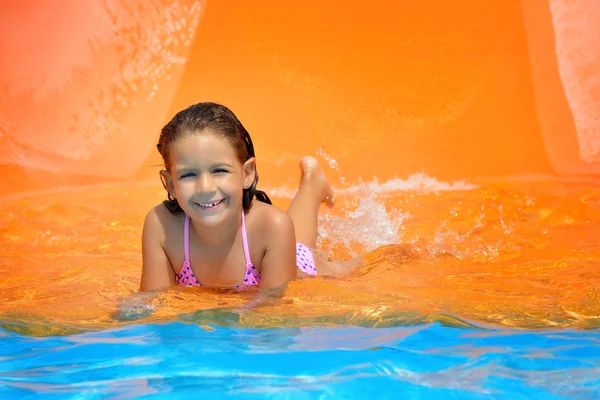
pixel 219 120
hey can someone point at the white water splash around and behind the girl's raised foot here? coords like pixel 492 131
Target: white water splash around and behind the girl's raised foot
pixel 364 218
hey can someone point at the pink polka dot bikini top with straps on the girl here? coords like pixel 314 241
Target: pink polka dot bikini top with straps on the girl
pixel 186 276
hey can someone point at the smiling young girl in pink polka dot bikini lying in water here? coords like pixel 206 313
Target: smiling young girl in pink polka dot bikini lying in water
pixel 211 231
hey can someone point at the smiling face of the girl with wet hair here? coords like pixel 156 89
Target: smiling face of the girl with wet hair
pixel 207 177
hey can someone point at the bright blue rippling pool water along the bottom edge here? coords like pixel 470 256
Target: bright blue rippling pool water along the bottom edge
pixel 179 360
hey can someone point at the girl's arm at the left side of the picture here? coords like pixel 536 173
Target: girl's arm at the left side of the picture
pixel 157 273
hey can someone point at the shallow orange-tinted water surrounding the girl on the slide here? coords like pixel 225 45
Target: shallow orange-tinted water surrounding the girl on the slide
pixel 520 253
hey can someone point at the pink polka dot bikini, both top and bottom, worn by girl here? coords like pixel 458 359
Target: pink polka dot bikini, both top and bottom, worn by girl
pixel 304 261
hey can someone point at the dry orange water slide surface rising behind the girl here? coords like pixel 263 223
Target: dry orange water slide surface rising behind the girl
pixel 455 89
